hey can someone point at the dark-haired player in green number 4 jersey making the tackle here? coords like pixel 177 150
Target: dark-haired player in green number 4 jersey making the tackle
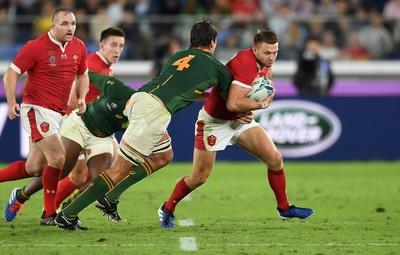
pixel 186 76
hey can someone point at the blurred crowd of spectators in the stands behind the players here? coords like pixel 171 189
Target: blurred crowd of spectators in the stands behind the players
pixel 347 29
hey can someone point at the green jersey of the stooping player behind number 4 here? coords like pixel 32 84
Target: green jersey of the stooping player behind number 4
pixel 103 116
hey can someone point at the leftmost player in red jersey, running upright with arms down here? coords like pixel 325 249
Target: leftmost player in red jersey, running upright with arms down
pixel 53 62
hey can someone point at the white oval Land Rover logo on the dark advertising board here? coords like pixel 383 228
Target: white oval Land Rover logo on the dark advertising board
pixel 300 128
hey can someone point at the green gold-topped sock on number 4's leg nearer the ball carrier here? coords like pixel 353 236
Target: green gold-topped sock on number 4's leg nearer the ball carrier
pixel 136 174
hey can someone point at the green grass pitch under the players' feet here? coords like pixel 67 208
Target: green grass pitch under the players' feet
pixel 357 211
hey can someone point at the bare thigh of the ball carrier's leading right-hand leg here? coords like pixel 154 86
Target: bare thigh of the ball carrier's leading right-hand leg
pixel 257 142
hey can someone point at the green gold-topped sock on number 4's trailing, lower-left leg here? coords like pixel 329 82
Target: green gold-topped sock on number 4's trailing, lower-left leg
pixel 100 186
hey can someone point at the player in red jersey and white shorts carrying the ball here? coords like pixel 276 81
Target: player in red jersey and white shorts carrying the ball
pixel 219 125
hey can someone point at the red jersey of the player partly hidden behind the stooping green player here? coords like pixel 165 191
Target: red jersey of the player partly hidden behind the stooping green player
pixel 98 64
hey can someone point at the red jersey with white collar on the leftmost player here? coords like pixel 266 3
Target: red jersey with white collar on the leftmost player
pixel 51 70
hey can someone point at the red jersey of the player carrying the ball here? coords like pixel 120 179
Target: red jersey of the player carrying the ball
pixel 244 68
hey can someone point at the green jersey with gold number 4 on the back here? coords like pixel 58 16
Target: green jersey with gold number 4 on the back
pixel 186 75
